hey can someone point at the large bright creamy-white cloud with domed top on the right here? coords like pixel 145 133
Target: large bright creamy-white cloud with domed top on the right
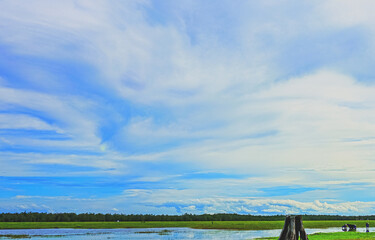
pixel 317 117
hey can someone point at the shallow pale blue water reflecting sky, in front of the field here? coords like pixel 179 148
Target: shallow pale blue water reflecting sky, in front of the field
pixel 149 233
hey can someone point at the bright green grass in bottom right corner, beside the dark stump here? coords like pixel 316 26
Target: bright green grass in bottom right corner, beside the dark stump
pixel 336 236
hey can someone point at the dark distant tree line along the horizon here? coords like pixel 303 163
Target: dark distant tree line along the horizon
pixel 99 217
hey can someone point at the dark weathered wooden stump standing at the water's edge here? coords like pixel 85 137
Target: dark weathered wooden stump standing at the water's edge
pixel 293 229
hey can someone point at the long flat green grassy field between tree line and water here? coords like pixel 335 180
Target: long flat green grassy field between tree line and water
pixel 242 225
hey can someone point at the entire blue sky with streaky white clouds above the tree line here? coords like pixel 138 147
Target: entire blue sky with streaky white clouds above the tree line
pixel 173 107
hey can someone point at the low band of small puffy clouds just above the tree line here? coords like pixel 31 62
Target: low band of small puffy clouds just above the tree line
pixel 182 201
